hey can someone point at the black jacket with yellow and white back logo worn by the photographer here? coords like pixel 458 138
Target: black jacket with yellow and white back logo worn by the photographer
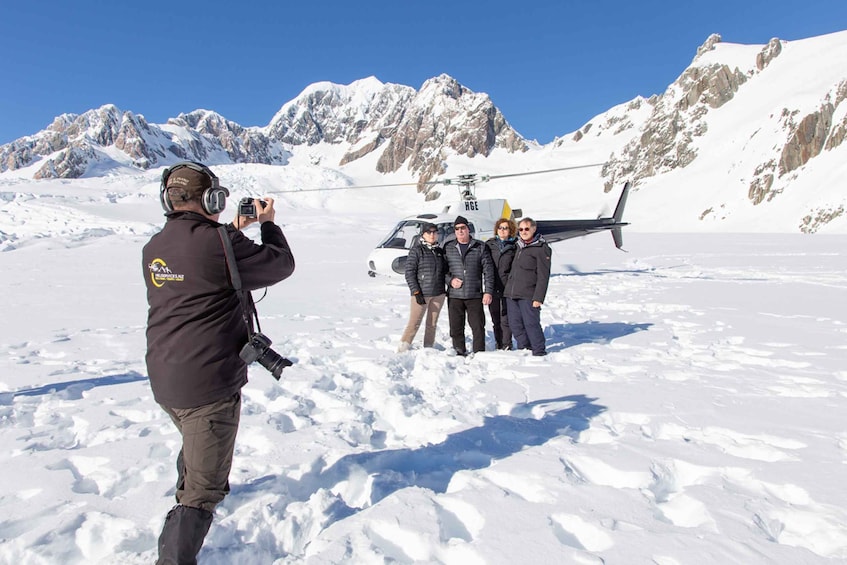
pixel 195 327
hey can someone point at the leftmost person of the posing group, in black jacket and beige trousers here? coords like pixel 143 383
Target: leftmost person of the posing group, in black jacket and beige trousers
pixel 425 270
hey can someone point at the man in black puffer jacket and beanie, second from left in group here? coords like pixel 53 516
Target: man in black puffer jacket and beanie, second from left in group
pixel 470 276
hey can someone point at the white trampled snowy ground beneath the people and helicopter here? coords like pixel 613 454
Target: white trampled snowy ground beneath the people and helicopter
pixel 691 410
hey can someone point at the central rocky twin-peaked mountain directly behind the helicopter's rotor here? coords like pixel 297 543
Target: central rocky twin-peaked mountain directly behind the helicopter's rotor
pixel 409 127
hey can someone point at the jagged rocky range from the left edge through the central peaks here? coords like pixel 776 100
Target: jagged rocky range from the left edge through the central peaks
pixel 417 129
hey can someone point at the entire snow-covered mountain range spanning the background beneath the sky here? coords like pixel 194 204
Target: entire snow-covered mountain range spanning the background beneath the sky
pixel 747 138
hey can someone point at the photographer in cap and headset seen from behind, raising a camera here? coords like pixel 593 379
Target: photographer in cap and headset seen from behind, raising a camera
pixel 196 327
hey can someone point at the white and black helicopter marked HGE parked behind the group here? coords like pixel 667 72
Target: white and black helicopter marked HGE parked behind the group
pixel 389 257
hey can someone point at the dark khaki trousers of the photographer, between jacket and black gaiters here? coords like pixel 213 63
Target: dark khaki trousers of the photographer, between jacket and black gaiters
pixel 208 441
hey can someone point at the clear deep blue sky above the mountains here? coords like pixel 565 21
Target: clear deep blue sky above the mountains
pixel 549 66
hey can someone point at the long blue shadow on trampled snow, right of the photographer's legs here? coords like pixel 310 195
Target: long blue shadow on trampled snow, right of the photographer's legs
pixel 433 466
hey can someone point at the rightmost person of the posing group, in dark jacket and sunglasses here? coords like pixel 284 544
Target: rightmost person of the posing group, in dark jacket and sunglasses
pixel 527 287
